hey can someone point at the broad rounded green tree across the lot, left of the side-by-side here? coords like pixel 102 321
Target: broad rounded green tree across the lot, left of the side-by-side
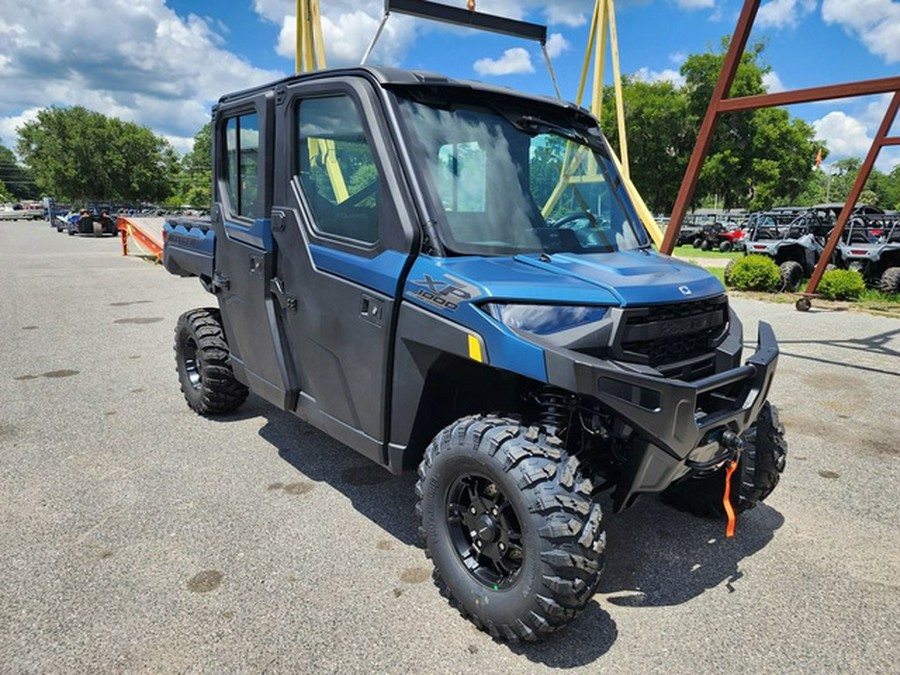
pixel 76 153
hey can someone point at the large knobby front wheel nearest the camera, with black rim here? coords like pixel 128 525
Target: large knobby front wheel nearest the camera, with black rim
pixel 507 518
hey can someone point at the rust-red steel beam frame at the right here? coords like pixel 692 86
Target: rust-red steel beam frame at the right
pixel 719 104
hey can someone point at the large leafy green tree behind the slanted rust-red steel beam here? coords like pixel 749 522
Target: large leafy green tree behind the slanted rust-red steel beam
pixel 756 158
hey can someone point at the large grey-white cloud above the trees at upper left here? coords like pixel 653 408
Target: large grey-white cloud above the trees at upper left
pixel 145 65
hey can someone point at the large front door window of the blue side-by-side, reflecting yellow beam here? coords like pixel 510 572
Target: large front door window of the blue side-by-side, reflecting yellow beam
pixel 336 168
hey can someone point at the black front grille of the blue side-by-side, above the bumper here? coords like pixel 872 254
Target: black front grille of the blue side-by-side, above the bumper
pixel 679 339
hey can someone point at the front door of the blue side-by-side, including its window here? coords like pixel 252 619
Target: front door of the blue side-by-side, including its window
pixel 343 236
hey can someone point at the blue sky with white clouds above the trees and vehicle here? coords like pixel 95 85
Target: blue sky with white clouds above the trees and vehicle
pixel 163 63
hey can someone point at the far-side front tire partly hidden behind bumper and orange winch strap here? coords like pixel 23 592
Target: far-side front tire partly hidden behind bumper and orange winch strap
pixel 759 470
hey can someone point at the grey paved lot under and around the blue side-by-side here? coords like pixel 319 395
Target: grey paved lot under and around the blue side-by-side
pixel 136 536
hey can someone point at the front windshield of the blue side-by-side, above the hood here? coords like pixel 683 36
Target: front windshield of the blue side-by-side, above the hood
pixel 504 183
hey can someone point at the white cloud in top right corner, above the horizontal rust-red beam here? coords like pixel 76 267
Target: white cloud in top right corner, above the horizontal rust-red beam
pixel 875 22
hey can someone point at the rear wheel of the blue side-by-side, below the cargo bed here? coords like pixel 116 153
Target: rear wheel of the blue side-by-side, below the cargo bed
pixel 201 357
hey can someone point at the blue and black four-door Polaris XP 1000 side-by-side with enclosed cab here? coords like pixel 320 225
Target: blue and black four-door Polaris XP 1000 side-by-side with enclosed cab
pixel 449 276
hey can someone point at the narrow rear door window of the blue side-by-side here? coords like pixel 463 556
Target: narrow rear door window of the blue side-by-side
pixel 242 158
